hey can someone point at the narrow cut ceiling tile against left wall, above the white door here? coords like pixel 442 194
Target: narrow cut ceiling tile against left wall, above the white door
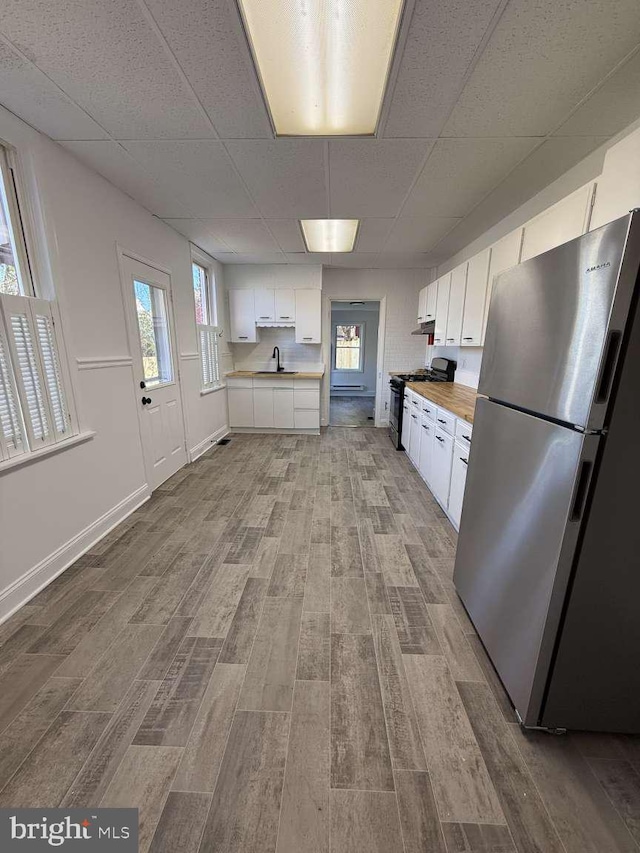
pixel 111 161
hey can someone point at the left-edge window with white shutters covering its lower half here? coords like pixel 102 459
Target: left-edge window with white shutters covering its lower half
pixel 34 410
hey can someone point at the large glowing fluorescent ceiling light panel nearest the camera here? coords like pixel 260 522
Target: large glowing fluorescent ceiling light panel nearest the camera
pixel 323 64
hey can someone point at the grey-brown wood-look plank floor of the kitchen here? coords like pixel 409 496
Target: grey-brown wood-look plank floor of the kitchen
pixel 269 655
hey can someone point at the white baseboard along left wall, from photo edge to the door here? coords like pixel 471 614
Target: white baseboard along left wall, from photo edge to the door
pixel 24 588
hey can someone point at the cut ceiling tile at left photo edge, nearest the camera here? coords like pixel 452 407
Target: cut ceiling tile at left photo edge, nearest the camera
pixel 29 93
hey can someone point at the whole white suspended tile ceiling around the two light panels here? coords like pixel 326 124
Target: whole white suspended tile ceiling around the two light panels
pixel 488 103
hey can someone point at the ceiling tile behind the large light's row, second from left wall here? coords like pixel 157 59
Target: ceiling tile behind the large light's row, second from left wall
pixel 198 172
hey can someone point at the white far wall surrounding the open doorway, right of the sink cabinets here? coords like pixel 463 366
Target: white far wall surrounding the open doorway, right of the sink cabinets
pixel 402 351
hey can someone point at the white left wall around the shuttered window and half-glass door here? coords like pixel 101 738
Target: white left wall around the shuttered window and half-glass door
pixel 52 509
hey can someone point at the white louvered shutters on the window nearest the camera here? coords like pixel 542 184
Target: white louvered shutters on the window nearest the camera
pixel 34 357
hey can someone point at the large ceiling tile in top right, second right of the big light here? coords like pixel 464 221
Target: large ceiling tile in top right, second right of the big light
pixel 541 60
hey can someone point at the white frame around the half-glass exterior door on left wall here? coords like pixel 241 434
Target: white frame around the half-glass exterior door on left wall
pixel 132 334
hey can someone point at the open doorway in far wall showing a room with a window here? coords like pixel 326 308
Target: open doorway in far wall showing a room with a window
pixel 354 362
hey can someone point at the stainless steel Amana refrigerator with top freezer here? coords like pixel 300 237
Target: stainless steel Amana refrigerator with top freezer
pixel 548 559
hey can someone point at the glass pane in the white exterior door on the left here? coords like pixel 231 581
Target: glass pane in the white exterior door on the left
pixel 154 333
